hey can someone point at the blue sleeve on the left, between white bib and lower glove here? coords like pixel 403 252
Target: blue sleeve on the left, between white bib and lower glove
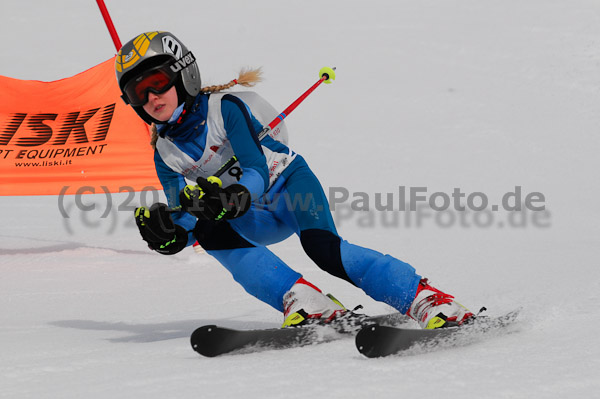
pixel 173 183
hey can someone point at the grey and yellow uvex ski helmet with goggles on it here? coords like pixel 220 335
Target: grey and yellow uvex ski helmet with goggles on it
pixel 158 54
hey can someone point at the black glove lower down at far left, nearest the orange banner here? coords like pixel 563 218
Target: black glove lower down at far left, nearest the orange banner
pixel 159 231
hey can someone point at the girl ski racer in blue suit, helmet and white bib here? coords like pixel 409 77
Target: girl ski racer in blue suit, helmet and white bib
pixel 258 200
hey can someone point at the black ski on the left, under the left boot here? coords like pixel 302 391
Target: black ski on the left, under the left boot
pixel 213 340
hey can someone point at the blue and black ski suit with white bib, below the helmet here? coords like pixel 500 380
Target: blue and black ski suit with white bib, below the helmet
pixel 287 199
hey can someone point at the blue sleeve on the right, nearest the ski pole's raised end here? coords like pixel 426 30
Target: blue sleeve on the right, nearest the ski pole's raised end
pixel 242 131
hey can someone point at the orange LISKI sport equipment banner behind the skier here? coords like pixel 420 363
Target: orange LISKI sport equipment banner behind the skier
pixel 56 137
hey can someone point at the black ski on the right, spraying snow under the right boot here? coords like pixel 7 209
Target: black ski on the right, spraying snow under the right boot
pixel 378 340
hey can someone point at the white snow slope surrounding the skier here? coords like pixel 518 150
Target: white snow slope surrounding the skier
pixel 477 95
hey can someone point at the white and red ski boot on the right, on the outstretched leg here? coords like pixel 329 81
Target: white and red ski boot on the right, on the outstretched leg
pixel 432 308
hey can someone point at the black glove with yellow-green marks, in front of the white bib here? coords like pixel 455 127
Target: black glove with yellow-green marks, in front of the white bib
pixel 208 200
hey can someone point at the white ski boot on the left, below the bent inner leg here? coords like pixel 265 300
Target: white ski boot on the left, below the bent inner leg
pixel 304 303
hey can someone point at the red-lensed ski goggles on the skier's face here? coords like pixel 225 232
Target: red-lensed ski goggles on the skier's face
pixel 156 80
